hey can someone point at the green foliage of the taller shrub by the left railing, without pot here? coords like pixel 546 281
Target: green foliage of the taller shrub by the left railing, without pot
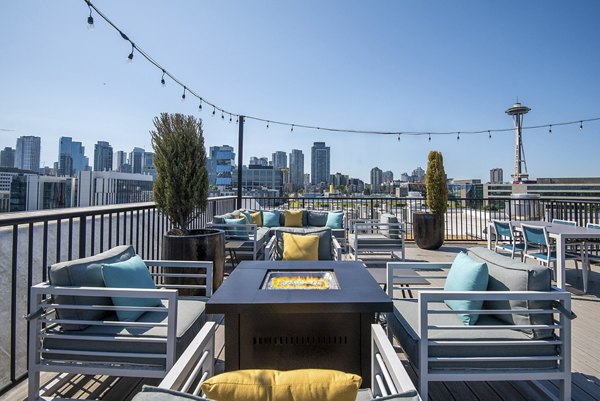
pixel 181 186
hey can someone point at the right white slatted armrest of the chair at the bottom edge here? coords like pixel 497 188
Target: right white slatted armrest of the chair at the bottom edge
pixel 388 375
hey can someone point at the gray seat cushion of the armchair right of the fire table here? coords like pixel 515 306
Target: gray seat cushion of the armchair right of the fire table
pixel 404 324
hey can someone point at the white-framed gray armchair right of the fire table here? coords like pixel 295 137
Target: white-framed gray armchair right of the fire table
pixel 523 331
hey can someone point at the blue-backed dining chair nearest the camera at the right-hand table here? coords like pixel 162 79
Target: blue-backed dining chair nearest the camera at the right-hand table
pixel 544 251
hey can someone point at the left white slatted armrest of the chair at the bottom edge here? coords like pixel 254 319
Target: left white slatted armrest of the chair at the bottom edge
pixel 195 365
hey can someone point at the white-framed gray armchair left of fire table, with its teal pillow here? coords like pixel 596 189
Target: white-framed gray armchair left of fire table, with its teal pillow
pixel 77 324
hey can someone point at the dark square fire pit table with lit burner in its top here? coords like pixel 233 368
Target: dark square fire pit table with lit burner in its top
pixel 322 321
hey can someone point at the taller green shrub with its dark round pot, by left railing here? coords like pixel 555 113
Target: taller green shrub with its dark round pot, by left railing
pixel 181 191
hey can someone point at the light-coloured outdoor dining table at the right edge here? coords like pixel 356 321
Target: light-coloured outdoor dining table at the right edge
pixel 561 233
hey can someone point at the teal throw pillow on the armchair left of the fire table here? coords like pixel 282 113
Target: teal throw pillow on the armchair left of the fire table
pixel 132 273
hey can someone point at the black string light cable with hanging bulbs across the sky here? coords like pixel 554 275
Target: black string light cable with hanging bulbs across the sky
pixel 187 90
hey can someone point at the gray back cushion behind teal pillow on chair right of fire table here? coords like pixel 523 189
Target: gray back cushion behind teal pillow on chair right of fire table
pixel 507 274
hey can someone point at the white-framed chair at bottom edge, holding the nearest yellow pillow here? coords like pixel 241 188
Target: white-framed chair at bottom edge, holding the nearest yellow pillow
pixel 388 377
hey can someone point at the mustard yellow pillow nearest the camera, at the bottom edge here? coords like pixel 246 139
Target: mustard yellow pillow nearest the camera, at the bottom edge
pixel 291 385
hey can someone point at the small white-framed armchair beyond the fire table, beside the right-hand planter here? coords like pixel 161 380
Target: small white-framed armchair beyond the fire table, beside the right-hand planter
pixel 373 236
